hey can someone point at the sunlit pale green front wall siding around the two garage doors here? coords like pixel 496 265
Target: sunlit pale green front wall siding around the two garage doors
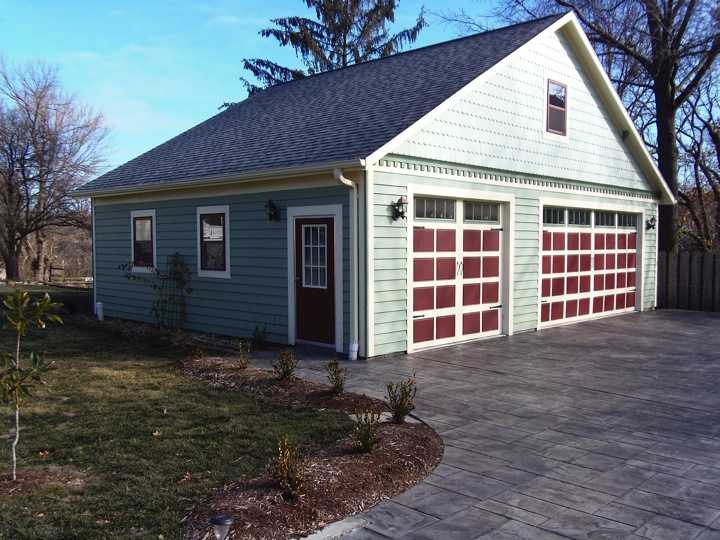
pixel 391 242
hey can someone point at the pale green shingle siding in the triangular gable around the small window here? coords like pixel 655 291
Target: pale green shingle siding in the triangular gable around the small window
pixel 500 124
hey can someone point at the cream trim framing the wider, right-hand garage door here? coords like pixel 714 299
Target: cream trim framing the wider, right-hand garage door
pixel 590 204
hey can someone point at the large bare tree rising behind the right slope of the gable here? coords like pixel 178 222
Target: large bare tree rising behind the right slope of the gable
pixel 656 52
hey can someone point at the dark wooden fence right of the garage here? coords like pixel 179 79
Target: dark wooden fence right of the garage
pixel 689 280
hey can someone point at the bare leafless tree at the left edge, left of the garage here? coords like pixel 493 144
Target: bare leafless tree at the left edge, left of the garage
pixel 49 144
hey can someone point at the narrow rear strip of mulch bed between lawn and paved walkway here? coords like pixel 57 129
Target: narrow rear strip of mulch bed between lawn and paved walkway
pixel 263 384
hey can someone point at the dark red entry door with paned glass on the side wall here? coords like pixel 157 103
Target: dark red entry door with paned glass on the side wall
pixel 315 279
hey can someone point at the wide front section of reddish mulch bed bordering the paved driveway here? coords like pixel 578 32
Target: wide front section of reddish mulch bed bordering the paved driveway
pixel 339 482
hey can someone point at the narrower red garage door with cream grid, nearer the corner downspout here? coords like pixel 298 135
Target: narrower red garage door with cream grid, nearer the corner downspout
pixel 456 269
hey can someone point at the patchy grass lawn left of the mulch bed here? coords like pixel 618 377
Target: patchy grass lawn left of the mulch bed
pixel 147 441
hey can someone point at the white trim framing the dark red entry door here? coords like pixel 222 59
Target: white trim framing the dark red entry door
pixel 330 210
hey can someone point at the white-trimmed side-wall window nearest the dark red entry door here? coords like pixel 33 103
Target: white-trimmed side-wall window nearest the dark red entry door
pixel 213 234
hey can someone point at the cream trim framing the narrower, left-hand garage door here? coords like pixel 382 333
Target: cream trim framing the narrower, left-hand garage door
pixel 507 250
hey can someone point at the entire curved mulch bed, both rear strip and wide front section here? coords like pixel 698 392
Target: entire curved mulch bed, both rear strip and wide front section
pixel 339 480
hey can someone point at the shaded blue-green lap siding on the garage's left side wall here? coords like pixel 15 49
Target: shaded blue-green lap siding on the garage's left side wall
pixel 256 294
